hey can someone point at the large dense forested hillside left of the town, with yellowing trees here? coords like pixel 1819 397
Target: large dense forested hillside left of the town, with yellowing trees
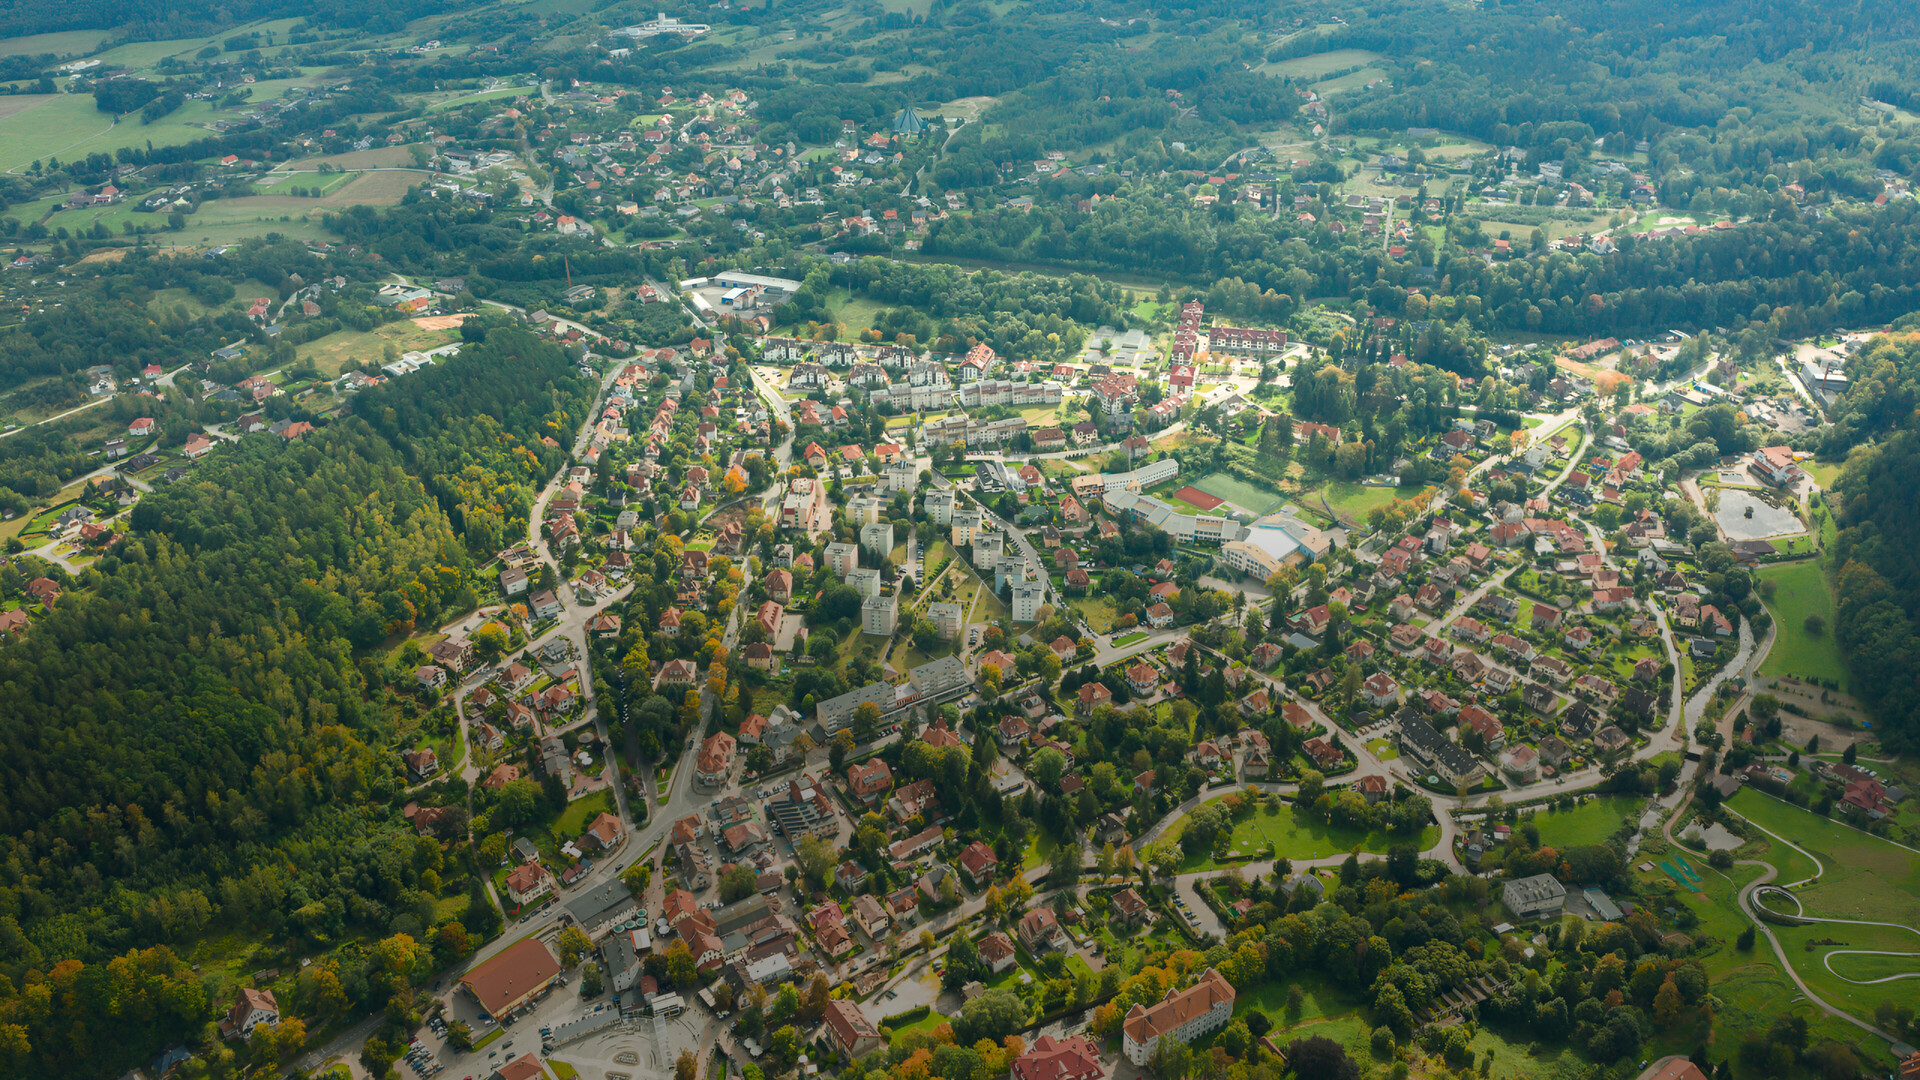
pixel 195 733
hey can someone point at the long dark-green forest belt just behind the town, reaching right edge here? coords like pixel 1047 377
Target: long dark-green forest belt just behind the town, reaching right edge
pixel 1798 276
